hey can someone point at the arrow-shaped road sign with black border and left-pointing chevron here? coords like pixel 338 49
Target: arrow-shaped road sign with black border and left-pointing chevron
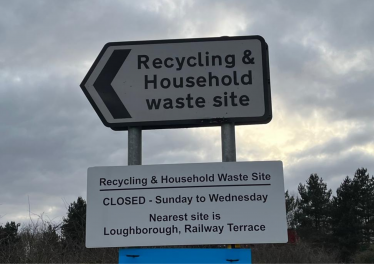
pixel 181 83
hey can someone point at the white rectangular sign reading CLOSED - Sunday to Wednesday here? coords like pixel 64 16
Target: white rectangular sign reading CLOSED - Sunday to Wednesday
pixel 185 204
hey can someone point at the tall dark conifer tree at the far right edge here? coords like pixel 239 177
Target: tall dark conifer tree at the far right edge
pixel 353 214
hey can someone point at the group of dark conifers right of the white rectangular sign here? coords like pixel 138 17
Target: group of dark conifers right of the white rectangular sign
pixel 344 221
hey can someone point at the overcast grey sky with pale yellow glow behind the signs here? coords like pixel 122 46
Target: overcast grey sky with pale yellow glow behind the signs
pixel 322 75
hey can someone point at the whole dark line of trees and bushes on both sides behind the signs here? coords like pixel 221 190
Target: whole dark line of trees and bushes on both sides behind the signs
pixel 337 227
